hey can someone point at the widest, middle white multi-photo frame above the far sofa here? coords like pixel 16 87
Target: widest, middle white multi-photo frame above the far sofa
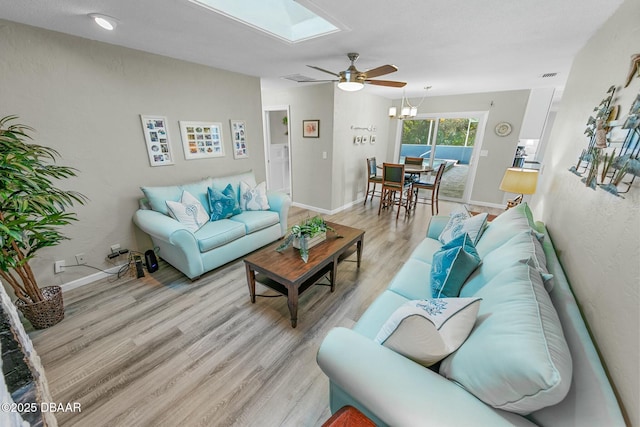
pixel 201 140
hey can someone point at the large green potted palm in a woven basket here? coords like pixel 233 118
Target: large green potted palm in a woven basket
pixel 32 210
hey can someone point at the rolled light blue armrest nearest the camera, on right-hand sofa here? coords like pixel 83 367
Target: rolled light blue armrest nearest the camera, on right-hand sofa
pixel 399 391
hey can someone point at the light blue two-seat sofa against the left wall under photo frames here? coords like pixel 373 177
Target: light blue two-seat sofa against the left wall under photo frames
pixel 216 242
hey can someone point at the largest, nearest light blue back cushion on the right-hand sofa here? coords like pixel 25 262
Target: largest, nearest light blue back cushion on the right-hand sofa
pixel 516 357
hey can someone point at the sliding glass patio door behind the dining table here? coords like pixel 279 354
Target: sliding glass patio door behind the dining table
pixel 450 138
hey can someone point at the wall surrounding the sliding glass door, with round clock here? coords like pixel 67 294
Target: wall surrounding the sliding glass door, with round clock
pixel 508 106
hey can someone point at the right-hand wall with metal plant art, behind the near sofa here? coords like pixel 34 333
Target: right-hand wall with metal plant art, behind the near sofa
pixel 597 234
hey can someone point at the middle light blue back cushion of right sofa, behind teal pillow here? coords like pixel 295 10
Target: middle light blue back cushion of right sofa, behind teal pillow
pixel 523 247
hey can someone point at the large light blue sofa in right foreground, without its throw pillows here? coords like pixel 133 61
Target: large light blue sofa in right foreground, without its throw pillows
pixel 529 359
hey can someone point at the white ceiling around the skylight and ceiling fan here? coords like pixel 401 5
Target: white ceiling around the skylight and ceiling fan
pixel 455 46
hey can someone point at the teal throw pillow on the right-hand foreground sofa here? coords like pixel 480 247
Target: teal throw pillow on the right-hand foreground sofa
pixel 452 265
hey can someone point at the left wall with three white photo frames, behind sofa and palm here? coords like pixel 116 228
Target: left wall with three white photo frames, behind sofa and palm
pixel 84 99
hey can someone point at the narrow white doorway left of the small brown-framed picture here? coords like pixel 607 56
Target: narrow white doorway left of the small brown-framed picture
pixel 277 148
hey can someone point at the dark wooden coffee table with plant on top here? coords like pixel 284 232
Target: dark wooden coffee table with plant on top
pixel 287 274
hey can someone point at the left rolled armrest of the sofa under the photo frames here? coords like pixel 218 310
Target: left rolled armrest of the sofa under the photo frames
pixel 167 229
